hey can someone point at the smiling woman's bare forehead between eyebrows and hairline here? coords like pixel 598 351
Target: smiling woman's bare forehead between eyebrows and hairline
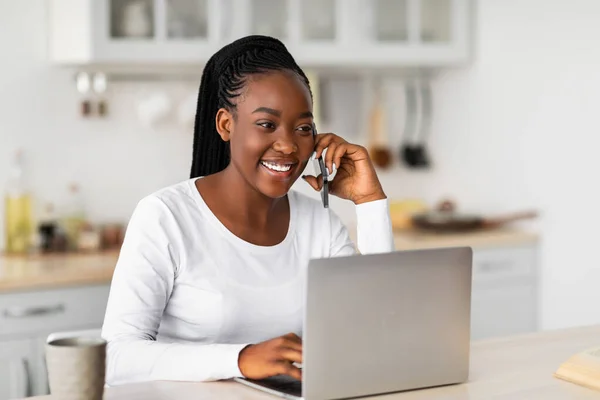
pixel 279 90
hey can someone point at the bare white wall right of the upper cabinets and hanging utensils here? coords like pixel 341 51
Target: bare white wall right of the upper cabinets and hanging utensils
pixel 523 121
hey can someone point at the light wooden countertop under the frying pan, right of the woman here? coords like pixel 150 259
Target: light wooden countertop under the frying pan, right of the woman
pixel 410 240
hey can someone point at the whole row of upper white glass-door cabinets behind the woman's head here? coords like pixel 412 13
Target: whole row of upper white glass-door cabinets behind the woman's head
pixel 319 33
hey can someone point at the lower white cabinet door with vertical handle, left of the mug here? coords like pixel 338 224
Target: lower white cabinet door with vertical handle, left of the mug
pixel 16 359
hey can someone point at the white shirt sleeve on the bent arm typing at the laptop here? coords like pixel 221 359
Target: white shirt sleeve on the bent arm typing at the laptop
pixel 142 284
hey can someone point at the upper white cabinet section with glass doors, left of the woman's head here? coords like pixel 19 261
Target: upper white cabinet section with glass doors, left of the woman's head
pixel 130 31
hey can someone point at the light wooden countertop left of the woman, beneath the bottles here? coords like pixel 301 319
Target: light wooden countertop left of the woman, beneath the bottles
pixel 56 270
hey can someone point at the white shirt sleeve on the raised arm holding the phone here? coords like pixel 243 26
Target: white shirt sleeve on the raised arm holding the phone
pixel 374 231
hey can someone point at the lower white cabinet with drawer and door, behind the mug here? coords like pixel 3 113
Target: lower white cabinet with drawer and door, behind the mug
pixel 27 318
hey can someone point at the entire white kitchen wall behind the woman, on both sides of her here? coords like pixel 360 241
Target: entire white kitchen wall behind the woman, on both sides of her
pixel 515 129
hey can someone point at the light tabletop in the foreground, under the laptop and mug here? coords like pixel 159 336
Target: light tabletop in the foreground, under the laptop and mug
pixel 518 367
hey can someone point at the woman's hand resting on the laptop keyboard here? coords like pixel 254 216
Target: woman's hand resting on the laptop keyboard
pixel 272 357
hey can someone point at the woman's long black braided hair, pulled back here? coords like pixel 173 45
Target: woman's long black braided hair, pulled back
pixel 223 78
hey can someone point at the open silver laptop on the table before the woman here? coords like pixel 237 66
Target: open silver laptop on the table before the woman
pixel 382 323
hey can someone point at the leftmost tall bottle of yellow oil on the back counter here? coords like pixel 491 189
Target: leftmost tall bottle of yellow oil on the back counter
pixel 19 225
